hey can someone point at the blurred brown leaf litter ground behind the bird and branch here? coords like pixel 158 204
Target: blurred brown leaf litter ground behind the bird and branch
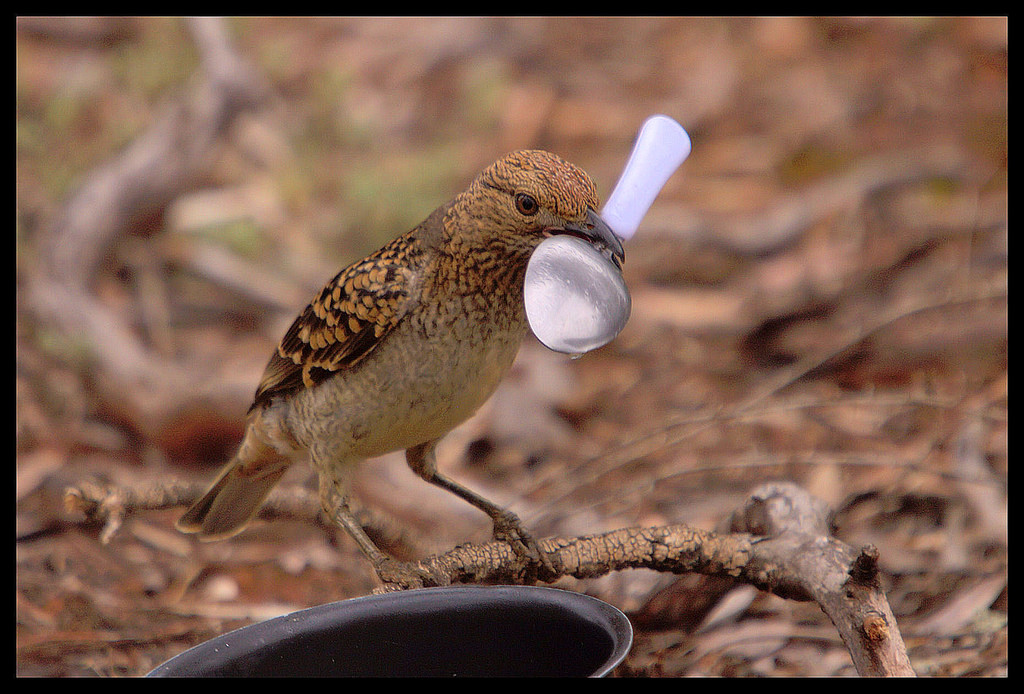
pixel 819 296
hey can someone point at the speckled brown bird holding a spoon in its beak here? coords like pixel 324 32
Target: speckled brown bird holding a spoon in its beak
pixel 403 346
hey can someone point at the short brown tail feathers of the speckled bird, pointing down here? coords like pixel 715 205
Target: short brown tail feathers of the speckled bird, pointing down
pixel 228 507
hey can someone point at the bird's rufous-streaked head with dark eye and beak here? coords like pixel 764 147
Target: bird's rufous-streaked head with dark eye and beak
pixel 526 197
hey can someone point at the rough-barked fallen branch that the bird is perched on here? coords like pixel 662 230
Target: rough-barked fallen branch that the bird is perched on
pixel 779 543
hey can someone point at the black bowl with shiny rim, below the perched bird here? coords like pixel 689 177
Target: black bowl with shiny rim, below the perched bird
pixel 458 631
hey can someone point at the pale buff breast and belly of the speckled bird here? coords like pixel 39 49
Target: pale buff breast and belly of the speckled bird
pixel 431 374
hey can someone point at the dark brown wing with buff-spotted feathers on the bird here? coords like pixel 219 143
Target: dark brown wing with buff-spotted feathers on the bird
pixel 346 322
